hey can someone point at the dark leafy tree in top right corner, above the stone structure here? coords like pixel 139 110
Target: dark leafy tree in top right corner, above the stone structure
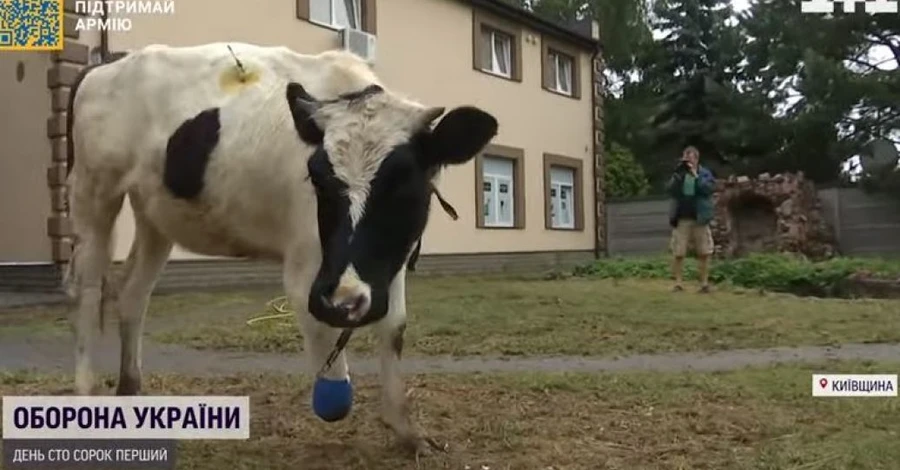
pixel 819 70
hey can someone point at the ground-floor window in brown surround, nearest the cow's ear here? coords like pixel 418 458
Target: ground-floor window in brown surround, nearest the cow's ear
pixel 499 190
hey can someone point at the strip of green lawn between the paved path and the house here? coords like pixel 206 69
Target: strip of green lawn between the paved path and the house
pixel 494 315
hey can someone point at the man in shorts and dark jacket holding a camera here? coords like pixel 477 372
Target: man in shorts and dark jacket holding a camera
pixel 691 187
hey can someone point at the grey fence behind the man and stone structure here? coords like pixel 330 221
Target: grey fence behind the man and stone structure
pixel 864 224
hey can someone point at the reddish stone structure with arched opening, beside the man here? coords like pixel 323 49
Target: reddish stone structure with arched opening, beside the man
pixel 780 213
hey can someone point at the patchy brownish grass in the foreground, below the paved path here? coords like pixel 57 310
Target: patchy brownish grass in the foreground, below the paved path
pixel 742 420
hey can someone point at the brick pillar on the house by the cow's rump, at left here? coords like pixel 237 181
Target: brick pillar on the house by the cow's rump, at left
pixel 65 65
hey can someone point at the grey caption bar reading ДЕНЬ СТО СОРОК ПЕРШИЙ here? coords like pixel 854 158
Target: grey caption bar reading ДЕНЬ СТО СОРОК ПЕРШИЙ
pixel 88 454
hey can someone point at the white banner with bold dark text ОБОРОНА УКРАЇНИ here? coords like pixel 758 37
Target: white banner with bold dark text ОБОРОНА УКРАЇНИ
pixel 135 417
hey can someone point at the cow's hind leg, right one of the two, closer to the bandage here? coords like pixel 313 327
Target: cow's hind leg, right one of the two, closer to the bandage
pixel 149 253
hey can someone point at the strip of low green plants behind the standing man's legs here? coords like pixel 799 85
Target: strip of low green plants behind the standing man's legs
pixel 774 272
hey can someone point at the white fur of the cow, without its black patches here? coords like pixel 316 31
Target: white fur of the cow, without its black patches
pixel 256 200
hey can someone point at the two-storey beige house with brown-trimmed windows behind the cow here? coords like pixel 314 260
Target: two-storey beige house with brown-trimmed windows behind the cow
pixel 533 198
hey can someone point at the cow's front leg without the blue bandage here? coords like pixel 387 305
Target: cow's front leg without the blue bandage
pixel 395 405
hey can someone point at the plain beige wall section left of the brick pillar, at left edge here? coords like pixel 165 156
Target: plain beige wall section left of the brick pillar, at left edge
pixel 24 156
